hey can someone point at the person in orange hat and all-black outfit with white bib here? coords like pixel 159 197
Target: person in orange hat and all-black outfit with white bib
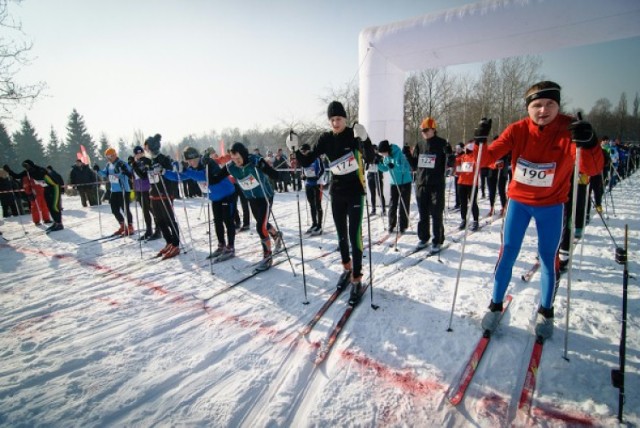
pixel 429 160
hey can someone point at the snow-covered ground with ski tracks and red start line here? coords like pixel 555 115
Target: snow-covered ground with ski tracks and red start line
pixel 102 334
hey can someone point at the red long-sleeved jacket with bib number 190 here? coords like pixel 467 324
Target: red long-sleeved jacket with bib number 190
pixel 542 160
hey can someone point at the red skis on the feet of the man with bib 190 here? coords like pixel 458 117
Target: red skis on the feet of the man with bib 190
pixel 458 389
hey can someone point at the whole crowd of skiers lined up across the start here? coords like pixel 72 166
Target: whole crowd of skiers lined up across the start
pixel 534 158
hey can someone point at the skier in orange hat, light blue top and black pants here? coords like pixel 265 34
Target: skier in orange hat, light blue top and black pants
pixel 117 172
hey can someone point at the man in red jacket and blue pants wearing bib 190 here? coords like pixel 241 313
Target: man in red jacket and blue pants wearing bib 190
pixel 543 158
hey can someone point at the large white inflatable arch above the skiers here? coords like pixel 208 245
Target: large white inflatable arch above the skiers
pixel 481 31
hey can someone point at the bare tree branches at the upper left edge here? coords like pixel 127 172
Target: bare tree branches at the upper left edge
pixel 13 56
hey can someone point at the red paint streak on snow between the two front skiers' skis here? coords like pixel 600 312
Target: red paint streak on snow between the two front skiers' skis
pixel 405 380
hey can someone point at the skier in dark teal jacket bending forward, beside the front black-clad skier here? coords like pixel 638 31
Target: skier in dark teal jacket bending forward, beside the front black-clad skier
pixel 251 172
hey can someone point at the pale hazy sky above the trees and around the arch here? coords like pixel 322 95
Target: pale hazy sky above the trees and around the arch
pixel 189 67
